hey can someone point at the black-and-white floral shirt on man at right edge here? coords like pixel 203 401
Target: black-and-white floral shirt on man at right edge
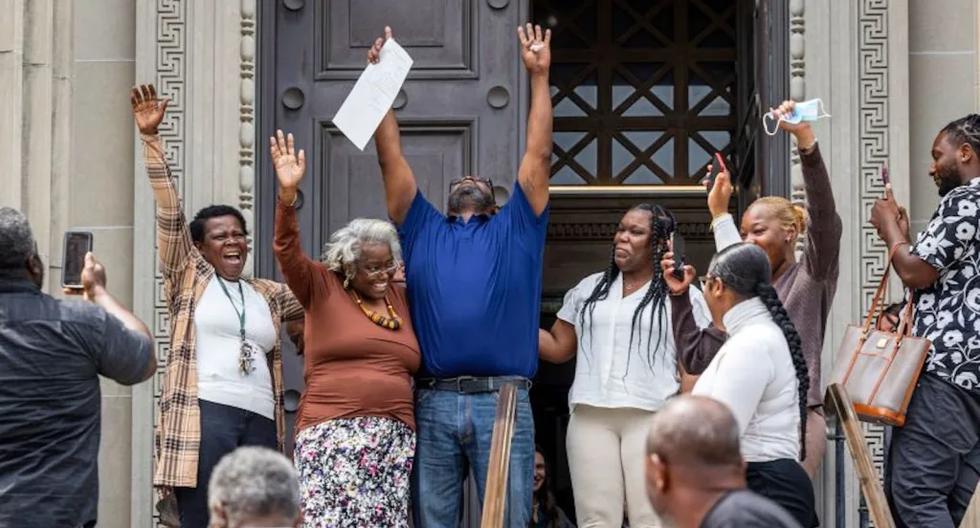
pixel 948 312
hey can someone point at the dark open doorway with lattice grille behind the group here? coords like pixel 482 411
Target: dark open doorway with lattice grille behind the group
pixel 644 93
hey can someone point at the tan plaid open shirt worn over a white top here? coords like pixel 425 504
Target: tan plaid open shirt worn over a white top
pixel 186 275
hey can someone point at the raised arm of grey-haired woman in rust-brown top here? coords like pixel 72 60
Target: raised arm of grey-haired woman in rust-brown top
pixel 295 265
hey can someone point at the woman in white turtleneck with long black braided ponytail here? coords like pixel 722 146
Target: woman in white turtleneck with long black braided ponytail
pixel 760 373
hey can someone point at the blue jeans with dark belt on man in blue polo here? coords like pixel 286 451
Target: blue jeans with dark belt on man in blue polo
pixel 454 433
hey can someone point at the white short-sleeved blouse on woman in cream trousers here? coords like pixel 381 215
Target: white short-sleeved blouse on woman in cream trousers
pixel 610 372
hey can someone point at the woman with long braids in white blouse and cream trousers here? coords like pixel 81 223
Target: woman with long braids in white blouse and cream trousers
pixel 618 324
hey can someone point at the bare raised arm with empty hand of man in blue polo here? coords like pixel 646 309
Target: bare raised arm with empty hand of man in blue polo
pixel 535 169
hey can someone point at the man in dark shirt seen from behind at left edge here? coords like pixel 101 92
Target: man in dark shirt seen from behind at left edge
pixel 51 356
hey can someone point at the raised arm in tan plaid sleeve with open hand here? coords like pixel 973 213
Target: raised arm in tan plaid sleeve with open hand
pixel 173 236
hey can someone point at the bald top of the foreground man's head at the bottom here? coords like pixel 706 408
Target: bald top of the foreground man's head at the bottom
pixel 696 431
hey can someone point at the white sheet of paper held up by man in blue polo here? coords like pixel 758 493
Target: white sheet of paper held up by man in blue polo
pixel 373 94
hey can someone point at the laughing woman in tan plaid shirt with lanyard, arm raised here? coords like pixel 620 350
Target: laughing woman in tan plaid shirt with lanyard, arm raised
pixel 222 387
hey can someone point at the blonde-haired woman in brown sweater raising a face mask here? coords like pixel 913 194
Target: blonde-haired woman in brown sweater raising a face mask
pixel 806 284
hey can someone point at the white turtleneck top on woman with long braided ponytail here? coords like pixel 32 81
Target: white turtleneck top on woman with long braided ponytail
pixel 754 376
